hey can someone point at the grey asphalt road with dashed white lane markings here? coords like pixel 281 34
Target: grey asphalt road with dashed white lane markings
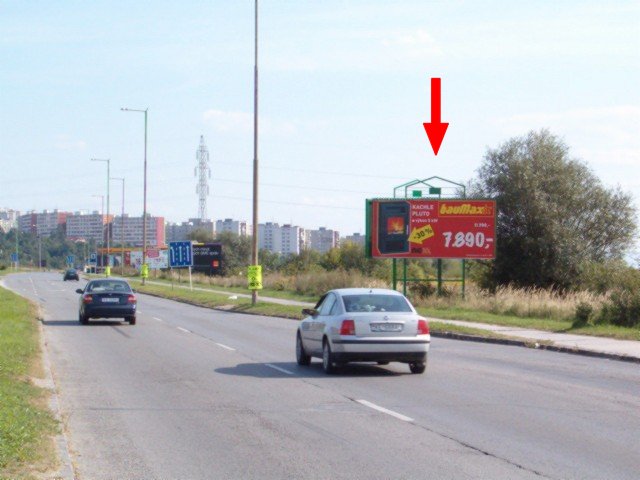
pixel 191 393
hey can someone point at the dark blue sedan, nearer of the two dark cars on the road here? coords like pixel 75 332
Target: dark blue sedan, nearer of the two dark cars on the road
pixel 107 298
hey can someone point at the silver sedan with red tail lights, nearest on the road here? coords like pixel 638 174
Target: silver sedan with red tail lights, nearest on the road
pixel 362 324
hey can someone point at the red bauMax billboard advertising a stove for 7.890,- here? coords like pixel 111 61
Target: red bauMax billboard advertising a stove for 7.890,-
pixel 426 228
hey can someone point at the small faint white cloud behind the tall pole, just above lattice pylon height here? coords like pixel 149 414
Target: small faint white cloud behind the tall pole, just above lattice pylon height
pixel 242 122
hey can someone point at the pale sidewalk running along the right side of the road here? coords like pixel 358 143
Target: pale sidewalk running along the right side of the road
pixel 581 344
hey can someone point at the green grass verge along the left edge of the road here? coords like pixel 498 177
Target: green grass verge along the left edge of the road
pixel 26 425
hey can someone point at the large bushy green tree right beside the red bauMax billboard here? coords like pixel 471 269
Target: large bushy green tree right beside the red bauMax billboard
pixel 554 214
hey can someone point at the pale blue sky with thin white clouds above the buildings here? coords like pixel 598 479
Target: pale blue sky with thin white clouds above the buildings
pixel 344 89
